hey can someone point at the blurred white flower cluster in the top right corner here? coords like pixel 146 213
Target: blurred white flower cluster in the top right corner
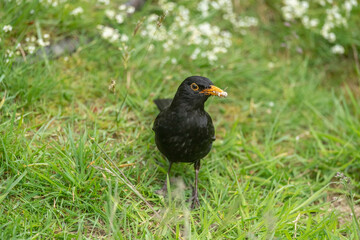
pixel 336 16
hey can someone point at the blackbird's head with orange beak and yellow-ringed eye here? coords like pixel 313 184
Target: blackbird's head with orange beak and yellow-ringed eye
pixel 195 90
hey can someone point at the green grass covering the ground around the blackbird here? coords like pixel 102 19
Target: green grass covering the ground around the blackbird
pixel 260 181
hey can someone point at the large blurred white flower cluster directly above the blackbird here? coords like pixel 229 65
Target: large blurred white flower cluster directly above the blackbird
pixel 208 39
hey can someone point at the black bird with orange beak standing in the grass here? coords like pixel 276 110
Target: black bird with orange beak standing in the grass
pixel 184 131
